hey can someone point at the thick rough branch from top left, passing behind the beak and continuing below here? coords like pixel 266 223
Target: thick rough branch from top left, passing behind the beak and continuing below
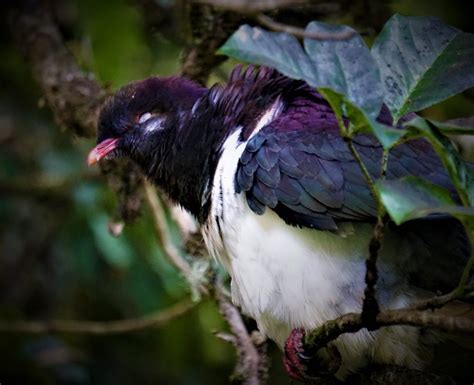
pixel 73 96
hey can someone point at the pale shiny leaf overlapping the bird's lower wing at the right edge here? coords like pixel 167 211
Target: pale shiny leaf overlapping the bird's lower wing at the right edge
pixel 412 197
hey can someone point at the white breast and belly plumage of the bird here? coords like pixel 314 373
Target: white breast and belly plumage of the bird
pixel 287 277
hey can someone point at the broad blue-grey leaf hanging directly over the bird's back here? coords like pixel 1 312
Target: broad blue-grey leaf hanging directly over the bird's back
pixel 344 65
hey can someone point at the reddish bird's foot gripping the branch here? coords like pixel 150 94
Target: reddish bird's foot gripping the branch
pixel 304 364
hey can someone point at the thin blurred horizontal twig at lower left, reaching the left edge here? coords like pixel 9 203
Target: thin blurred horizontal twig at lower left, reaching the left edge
pixel 156 319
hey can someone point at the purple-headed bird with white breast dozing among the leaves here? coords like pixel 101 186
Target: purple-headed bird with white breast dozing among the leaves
pixel 284 206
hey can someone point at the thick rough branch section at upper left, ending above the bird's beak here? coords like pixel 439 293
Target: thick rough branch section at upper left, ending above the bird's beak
pixel 73 96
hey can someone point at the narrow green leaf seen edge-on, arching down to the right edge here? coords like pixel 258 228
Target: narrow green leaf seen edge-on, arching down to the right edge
pixel 459 171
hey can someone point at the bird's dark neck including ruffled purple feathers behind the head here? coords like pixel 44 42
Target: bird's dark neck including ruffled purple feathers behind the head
pixel 188 164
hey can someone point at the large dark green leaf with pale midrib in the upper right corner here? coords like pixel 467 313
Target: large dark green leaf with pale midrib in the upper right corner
pixel 422 62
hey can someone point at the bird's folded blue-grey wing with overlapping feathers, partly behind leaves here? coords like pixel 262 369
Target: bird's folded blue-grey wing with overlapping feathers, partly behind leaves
pixel 299 166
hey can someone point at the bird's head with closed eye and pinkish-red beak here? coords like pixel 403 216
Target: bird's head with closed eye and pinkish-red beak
pixel 142 118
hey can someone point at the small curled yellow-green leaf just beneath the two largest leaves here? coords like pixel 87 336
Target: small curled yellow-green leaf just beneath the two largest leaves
pixel 359 122
